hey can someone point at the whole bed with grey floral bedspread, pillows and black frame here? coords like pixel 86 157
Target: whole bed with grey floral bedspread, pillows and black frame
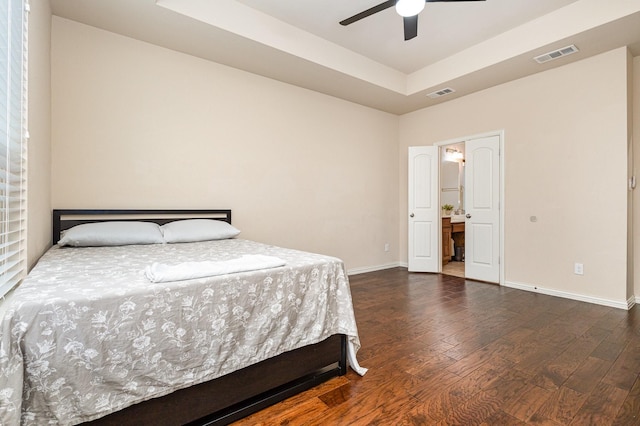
pixel 103 334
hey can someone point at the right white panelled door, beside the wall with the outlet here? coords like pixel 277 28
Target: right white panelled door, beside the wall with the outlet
pixel 482 208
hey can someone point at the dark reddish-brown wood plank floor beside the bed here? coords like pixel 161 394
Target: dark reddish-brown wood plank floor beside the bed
pixel 445 351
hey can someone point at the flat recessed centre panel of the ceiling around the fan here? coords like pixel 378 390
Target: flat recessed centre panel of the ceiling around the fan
pixel 443 28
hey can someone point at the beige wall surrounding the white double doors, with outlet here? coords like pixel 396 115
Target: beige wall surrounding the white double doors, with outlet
pixel 566 163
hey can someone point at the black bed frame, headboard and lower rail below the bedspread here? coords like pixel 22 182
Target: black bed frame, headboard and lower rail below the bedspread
pixel 235 395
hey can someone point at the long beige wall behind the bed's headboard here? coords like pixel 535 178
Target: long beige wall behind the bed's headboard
pixel 138 126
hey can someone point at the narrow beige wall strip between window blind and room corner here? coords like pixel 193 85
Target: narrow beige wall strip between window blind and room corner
pixel 39 148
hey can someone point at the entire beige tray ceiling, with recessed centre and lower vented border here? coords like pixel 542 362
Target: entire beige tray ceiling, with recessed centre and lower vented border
pixel 464 46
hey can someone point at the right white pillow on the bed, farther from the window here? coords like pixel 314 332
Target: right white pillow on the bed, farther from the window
pixel 190 230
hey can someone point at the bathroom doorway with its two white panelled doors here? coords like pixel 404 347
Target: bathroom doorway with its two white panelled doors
pixel 480 201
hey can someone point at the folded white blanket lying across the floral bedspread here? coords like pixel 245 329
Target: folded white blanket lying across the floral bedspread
pixel 158 272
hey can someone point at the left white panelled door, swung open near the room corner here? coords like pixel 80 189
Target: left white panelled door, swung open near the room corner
pixel 424 211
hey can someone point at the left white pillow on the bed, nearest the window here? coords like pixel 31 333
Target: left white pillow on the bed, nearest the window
pixel 112 234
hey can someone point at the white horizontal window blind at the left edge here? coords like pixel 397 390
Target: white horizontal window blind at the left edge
pixel 13 135
